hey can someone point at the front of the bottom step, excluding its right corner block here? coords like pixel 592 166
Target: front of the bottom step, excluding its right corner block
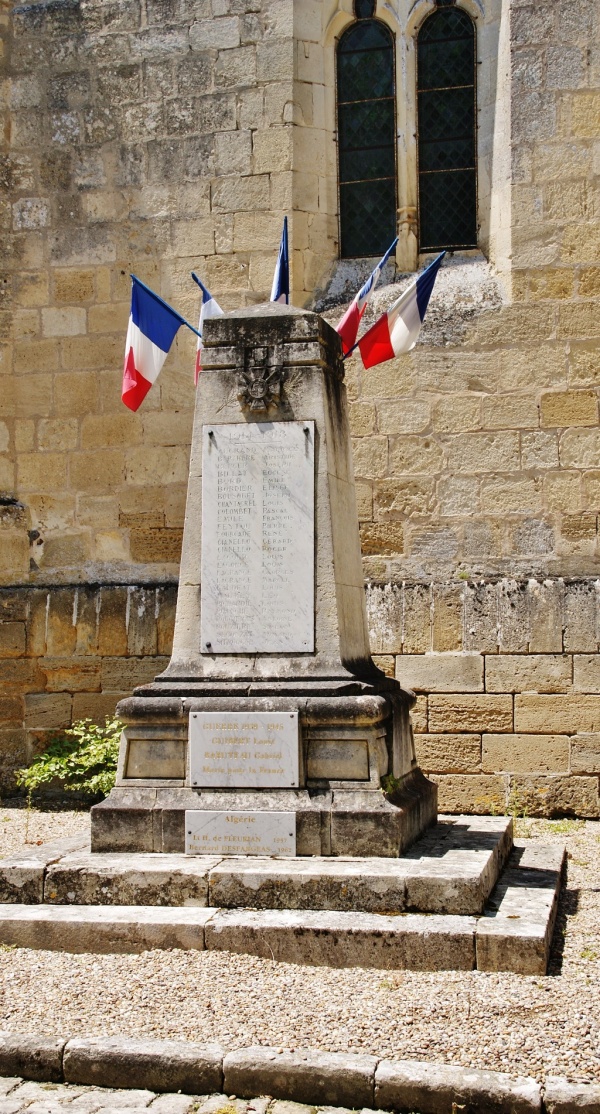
pixel 331 940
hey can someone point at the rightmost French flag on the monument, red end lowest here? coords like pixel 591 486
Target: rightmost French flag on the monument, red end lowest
pixel 397 331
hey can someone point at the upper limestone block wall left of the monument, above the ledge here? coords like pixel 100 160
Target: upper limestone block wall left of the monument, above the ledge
pixel 152 138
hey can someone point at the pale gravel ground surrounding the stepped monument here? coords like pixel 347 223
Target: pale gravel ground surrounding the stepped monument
pixel 509 1023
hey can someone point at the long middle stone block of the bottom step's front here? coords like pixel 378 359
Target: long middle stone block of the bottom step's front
pixel 347 940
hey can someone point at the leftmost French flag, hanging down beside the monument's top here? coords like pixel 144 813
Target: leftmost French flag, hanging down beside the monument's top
pixel 153 326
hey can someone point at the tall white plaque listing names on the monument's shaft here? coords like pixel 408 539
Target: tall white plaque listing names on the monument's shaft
pixel 258 561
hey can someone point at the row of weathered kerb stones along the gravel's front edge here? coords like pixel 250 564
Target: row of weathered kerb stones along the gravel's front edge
pixel 310 1077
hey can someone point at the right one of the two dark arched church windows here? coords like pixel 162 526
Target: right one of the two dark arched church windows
pixel 448 196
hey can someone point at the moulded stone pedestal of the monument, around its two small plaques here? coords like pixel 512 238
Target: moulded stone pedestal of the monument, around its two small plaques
pixel 351 737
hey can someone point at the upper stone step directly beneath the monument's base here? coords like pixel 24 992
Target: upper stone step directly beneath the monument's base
pixel 451 871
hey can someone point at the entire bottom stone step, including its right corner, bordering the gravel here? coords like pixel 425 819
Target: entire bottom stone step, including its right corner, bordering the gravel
pixel 514 935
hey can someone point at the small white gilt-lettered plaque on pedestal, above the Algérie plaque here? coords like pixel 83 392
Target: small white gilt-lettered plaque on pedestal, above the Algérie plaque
pixel 245 750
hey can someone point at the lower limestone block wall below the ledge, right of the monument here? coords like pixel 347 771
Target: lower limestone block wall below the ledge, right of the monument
pixel 508 680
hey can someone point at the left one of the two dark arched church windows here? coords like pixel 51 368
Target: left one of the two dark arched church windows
pixel 367 139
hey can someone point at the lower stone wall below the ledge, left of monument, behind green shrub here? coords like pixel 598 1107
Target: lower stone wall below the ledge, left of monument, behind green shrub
pixel 73 653
